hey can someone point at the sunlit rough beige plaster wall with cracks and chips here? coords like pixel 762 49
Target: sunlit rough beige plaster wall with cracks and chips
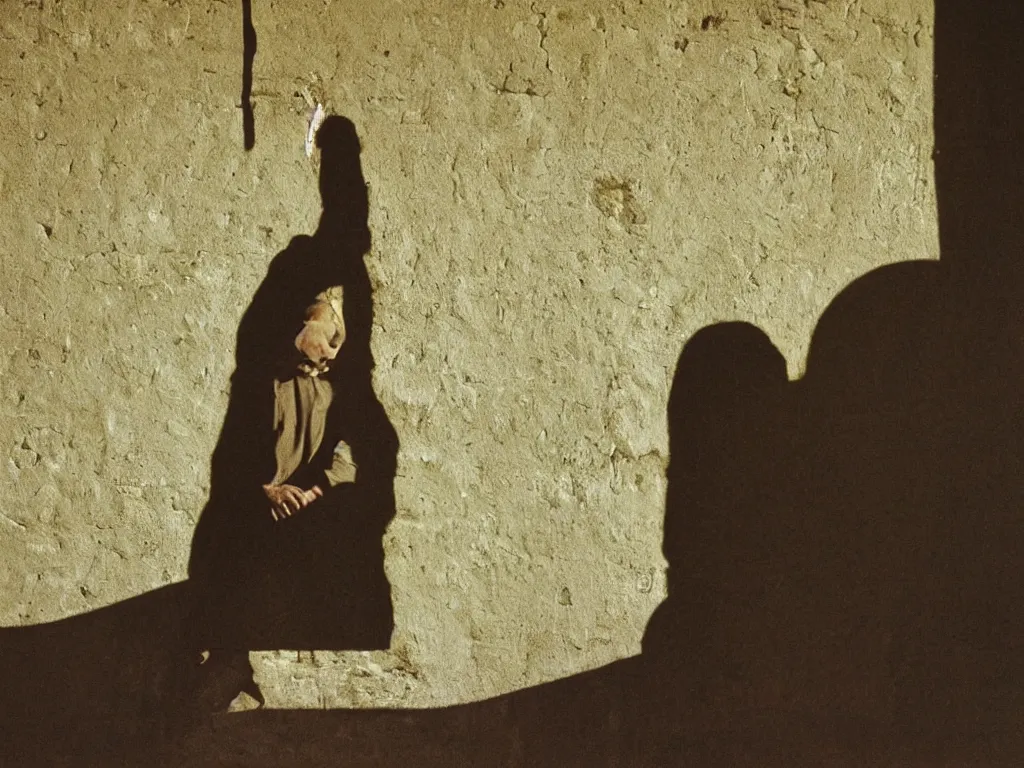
pixel 561 196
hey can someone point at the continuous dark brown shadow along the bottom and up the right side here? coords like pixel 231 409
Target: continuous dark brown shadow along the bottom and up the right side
pixel 844 550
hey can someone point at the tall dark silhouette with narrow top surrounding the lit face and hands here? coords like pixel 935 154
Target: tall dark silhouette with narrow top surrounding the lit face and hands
pixel 314 580
